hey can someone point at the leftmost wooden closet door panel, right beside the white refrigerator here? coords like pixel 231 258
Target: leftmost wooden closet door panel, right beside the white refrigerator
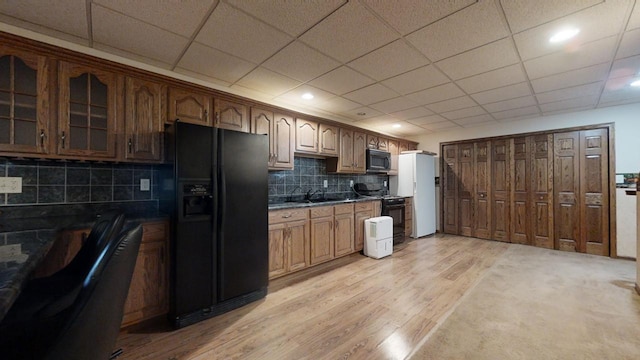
pixel 449 186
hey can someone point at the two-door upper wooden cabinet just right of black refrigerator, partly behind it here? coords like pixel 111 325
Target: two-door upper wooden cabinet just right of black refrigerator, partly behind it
pixel 281 131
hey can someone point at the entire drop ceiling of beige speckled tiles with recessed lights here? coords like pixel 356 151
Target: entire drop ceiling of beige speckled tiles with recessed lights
pixel 427 66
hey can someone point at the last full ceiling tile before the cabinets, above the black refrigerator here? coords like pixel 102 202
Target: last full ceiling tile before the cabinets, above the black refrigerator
pixel 211 62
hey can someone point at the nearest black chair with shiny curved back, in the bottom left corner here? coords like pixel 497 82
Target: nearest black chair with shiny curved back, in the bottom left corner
pixel 89 328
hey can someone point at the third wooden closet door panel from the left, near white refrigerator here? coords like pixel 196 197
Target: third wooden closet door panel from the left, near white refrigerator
pixel 482 186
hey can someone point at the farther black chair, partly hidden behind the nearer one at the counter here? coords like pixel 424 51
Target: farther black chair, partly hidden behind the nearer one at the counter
pixel 48 295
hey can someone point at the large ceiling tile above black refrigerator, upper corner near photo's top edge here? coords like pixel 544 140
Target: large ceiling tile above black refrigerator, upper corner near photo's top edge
pixel 238 34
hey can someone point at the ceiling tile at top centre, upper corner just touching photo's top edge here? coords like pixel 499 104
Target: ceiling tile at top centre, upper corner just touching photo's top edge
pixel 348 33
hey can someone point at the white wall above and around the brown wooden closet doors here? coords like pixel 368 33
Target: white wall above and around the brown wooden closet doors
pixel 626 119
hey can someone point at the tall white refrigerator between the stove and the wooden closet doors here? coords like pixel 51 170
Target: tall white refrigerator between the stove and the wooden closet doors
pixel 416 178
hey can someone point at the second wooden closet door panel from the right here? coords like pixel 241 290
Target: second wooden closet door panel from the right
pixel 566 189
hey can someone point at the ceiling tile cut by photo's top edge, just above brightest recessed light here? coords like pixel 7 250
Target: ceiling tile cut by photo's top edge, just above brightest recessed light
pixel 524 14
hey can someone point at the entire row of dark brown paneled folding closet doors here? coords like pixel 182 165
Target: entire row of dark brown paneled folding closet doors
pixel 549 190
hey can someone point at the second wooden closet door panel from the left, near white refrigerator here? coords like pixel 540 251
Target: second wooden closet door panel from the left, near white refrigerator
pixel 466 189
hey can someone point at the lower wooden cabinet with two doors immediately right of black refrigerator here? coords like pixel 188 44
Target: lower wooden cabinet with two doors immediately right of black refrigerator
pixel 288 241
